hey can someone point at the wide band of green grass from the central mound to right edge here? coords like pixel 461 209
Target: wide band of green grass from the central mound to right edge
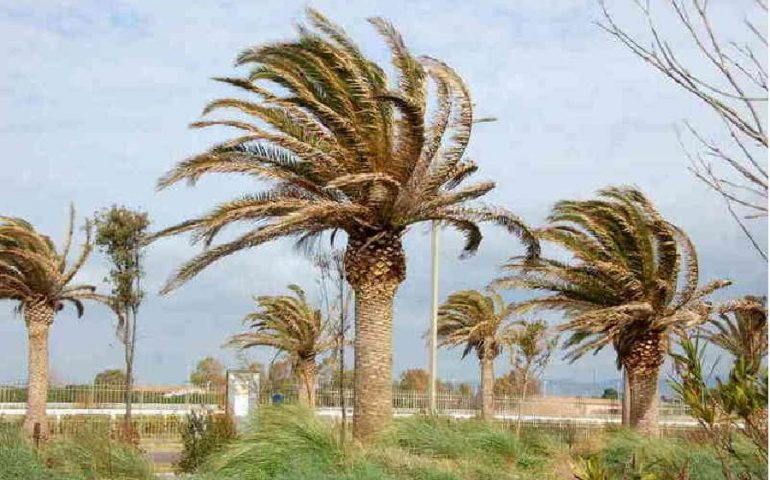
pixel 289 442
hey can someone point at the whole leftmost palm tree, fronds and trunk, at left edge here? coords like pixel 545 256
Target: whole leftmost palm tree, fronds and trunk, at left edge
pixel 38 277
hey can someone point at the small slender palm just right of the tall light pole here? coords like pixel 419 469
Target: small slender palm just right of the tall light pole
pixel 477 321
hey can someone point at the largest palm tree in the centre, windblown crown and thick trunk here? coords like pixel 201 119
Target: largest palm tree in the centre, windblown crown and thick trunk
pixel 343 150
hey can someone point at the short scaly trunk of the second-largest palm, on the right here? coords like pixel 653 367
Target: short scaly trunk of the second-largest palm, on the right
pixel 642 364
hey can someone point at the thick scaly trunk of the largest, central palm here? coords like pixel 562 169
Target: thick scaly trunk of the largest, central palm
pixel 375 265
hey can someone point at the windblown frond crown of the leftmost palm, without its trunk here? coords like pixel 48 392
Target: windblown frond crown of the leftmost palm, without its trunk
pixel 32 271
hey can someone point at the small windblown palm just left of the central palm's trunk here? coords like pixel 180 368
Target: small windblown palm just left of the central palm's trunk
pixel 292 326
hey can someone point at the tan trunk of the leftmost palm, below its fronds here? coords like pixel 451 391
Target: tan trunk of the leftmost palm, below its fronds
pixel 38 317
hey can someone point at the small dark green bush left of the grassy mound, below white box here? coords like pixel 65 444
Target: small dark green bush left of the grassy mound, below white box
pixel 203 435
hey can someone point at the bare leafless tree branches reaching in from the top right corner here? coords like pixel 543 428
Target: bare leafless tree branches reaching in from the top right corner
pixel 730 77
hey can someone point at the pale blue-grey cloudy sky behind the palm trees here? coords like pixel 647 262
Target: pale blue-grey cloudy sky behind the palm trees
pixel 96 96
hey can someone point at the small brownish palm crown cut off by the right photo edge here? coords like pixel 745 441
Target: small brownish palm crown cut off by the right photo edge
pixel 740 328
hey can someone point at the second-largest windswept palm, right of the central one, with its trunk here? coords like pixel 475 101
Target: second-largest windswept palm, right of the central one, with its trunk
pixel 633 279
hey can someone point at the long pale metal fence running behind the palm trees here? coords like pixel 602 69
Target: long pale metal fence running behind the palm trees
pixel 160 412
